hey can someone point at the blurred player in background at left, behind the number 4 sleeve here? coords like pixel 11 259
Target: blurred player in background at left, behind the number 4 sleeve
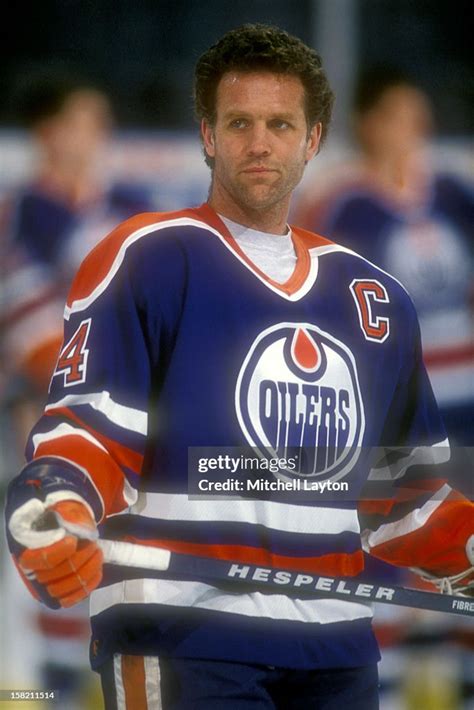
pixel 47 227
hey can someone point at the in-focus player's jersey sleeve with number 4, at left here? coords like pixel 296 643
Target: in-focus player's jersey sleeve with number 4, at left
pixel 118 324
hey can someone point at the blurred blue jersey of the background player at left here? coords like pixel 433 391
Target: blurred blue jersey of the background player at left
pixel 44 237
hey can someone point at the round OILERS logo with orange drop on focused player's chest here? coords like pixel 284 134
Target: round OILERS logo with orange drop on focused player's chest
pixel 298 394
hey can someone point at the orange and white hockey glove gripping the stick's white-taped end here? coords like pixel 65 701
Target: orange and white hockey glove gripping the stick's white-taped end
pixel 57 554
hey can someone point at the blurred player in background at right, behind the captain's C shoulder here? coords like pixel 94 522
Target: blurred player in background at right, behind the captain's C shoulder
pixel 391 206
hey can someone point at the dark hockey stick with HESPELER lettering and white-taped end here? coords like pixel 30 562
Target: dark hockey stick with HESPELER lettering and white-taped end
pixel 255 578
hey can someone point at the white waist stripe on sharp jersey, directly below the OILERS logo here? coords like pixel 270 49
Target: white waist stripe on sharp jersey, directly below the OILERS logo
pixel 280 516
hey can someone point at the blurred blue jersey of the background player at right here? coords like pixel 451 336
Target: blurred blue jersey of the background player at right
pixel 429 248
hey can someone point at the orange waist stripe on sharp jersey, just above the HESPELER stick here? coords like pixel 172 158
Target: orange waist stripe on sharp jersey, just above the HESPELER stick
pixel 332 564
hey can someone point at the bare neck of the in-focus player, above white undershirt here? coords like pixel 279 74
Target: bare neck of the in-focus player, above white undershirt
pixel 272 219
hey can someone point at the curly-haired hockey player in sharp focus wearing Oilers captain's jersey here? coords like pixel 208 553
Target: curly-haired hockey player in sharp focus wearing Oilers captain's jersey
pixel 221 326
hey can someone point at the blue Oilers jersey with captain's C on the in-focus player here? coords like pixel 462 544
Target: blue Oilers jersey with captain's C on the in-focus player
pixel 173 339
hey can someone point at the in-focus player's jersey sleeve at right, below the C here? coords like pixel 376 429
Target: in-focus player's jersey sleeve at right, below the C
pixel 411 516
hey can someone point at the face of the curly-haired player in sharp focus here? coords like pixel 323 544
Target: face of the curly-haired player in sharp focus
pixel 260 142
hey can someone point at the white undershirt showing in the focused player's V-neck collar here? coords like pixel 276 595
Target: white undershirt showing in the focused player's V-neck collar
pixel 274 254
